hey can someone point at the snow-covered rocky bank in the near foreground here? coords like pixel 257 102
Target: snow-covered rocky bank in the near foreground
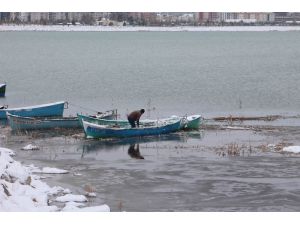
pixel 21 190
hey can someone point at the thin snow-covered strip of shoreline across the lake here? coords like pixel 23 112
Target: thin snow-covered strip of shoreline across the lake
pixel 81 28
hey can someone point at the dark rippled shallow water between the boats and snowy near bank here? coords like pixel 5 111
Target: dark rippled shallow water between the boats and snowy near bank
pixel 185 171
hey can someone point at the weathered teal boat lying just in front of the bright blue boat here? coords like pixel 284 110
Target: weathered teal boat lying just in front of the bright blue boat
pixel 32 123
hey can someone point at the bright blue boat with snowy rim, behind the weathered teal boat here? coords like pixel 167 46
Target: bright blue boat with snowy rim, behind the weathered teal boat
pixel 51 109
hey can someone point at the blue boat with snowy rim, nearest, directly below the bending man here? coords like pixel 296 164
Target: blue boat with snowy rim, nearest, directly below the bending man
pixel 93 130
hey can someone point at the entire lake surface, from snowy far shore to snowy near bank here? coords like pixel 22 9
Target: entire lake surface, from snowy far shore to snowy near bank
pixel 208 73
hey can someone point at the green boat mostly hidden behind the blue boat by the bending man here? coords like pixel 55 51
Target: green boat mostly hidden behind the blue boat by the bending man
pixel 189 122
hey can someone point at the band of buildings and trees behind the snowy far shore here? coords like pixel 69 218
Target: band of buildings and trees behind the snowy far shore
pixel 151 19
